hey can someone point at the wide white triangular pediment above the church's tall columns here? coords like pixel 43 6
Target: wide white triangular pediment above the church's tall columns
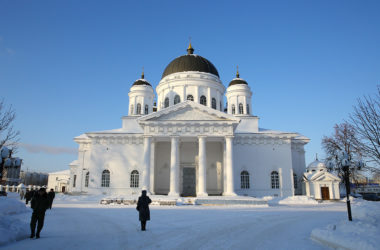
pixel 188 111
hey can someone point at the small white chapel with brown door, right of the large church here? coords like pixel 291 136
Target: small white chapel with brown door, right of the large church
pixel 319 183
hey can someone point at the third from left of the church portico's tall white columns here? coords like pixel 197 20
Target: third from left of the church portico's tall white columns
pixel 202 167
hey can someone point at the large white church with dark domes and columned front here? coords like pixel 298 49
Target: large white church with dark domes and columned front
pixel 189 143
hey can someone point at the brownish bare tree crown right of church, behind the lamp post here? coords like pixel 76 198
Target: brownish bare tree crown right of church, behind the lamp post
pixel 344 139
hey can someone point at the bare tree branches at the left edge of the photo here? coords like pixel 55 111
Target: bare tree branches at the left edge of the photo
pixel 8 135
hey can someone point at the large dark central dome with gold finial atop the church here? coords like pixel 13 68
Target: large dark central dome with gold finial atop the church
pixel 190 62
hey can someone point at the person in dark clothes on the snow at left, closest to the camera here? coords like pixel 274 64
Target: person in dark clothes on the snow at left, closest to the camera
pixel 39 204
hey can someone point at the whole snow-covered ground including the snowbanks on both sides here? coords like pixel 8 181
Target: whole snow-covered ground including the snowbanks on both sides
pixel 80 222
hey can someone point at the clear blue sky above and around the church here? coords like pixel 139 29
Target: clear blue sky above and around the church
pixel 67 66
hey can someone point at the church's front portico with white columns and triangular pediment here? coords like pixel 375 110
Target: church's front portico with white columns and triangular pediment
pixel 186 160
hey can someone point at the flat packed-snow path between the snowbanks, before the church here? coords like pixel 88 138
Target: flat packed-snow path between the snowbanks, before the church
pixel 92 226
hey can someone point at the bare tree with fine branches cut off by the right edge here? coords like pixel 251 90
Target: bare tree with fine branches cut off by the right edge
pixel 366 121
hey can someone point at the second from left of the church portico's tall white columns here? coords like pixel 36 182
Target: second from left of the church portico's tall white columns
pixel 174 168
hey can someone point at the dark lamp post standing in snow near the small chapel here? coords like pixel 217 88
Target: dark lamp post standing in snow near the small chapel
pixel 343 162
